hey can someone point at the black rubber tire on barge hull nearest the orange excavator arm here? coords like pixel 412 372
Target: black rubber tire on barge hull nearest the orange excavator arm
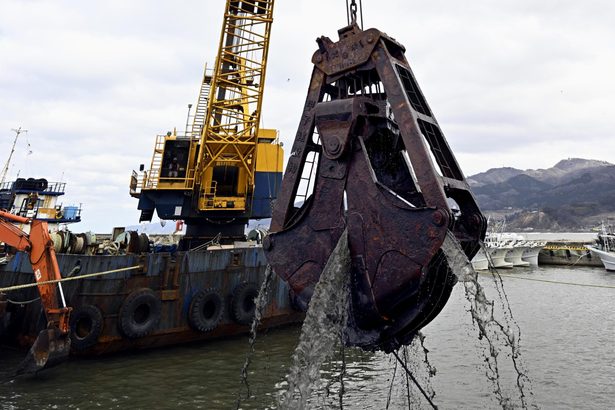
pixel 86 325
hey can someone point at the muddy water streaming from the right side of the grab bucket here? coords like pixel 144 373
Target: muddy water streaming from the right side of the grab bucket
pixel 491 329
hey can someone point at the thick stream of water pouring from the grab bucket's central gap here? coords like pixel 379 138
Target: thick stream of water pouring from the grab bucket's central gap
pixel 322 329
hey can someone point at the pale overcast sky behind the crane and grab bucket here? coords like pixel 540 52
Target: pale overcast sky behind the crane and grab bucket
pixel 512 83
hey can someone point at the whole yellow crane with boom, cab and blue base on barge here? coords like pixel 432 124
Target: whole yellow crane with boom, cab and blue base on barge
pixel 227 169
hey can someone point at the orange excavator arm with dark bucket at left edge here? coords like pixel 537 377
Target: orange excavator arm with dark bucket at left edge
pixel 52 344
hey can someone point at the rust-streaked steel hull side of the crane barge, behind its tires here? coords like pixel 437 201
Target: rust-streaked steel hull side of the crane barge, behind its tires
pixel 174 279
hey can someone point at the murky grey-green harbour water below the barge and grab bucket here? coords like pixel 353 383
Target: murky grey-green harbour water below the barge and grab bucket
pixel 567 349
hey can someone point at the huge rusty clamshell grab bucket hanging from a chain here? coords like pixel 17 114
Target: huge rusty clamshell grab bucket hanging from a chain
pixel 369 157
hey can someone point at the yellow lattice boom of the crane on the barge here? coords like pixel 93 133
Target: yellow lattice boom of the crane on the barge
pixel 225 171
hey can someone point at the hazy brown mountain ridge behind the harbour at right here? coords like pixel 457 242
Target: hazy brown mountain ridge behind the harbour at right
pixel 573 194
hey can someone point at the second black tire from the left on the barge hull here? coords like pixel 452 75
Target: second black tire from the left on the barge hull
pixel 140 313
